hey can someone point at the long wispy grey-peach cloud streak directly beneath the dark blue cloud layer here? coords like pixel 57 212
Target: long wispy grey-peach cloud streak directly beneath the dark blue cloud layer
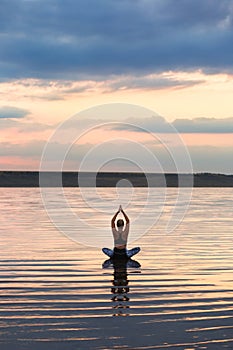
pixel 52 90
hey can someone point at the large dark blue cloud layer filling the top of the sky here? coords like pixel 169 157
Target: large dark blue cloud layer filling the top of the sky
pixel 77 39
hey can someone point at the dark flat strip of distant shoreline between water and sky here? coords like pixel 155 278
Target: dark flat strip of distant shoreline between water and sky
pixel 110 179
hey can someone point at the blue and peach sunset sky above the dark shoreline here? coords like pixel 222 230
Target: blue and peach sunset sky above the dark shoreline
pixel 174 57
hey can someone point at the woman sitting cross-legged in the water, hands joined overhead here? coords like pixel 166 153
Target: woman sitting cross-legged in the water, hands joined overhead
pixel 120 231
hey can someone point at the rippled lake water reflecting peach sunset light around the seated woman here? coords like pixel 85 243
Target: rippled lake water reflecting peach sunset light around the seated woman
pixel 55 294
